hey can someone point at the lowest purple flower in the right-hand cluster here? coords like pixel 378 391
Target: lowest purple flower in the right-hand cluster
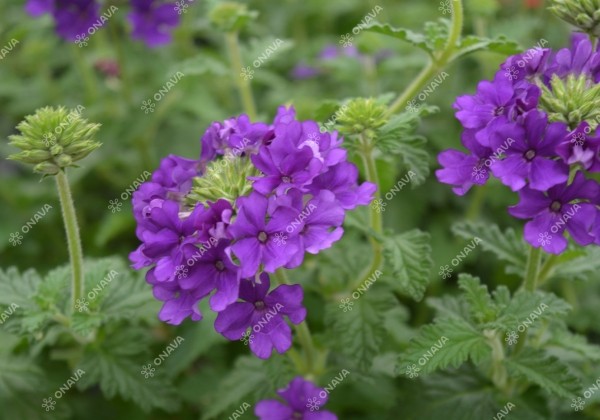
pixel 571 207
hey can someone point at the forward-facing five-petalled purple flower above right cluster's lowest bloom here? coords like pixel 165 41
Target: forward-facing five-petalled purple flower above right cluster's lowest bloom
pixel 530 155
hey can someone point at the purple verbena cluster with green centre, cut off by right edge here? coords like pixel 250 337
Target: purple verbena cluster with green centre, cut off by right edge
pixel 534 127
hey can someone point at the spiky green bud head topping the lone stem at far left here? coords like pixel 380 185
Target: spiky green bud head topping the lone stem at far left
pixel 53 139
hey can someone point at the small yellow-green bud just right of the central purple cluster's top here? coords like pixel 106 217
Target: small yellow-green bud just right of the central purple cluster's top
pixel 362 115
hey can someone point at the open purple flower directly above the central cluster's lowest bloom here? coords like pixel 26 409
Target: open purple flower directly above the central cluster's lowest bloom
pixel 259 241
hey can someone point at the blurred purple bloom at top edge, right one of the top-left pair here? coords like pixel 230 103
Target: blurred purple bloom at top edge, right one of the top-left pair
pixel 152 21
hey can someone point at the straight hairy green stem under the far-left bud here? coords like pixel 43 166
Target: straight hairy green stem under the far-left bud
pixel 73 240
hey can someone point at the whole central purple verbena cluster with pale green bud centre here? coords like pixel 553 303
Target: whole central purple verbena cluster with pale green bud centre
pixel 258 199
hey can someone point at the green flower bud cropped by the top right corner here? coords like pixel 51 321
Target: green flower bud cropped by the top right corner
pixel 585 14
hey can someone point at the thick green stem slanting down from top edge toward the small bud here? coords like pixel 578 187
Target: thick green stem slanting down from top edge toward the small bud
pixel 435 64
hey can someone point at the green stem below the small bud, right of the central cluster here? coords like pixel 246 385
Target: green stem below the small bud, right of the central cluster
pixel 376 220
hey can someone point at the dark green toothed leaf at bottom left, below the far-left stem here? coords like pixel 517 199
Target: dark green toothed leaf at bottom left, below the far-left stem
pixel 116 364
